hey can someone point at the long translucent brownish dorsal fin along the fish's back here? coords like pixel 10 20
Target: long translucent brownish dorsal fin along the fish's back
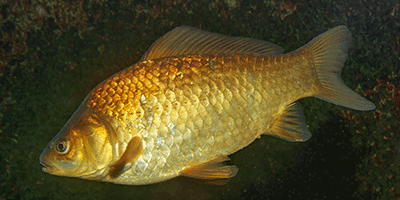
pixel 186 40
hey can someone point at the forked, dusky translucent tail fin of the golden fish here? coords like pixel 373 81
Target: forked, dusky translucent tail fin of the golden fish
pixel 329 50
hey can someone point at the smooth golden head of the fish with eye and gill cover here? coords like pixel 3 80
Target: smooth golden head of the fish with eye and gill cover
pixel 82 148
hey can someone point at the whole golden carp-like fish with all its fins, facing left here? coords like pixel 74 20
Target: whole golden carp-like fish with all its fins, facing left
pixel 193 99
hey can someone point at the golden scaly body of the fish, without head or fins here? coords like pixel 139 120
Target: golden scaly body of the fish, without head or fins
pixel 189 110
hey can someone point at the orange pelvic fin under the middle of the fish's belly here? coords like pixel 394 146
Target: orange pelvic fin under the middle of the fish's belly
pixel 213 169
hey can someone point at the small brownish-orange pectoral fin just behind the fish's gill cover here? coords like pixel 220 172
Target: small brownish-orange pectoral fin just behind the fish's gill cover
pixel 133 151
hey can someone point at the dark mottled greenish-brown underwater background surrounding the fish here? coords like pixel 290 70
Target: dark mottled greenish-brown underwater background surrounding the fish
pixel 52 53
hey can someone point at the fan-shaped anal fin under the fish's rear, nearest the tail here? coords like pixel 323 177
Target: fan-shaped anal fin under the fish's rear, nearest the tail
pixel 291 124
